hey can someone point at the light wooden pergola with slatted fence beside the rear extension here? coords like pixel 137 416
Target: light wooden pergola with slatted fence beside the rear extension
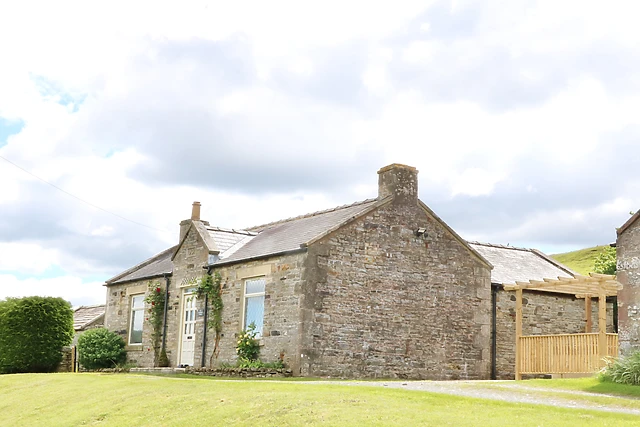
pixel 567 353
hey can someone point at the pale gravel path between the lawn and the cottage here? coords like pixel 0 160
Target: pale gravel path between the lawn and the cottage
pixel 507 391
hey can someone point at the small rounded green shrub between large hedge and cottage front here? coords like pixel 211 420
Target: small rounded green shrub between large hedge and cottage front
pixel 100 348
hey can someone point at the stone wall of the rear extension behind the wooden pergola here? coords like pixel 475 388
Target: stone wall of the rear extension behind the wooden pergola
pixel 542 314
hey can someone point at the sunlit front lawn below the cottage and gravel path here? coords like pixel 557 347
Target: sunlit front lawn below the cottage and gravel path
pixel 126 399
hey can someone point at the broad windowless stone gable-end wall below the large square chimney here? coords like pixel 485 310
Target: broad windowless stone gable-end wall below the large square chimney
pixel 381 301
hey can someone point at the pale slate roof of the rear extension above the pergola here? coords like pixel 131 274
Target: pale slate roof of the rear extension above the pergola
pixel 511 264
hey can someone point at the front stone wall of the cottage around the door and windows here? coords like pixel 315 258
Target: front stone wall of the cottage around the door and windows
pixel 281 316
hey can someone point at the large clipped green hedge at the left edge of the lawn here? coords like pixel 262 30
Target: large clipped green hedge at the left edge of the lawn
pixel 33 331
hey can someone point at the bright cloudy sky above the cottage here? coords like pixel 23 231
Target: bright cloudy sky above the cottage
pixel 521 116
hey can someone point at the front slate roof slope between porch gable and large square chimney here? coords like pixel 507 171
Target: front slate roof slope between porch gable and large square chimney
pixel 291 234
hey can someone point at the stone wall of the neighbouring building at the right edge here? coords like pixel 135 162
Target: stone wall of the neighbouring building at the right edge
pixel 628 255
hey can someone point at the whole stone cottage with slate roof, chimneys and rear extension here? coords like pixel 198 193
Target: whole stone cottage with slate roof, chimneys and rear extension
pixel 378 288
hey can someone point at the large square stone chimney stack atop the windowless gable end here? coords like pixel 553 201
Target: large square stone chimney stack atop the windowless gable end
pixel 399 181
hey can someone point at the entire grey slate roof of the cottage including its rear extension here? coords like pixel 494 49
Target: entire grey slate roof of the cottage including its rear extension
pixel 510 264
